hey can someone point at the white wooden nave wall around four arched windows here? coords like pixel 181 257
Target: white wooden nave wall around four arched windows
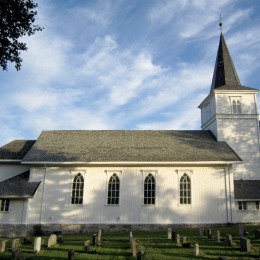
pixel 209 196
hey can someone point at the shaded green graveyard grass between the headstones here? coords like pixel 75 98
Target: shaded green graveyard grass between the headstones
pixel 154 244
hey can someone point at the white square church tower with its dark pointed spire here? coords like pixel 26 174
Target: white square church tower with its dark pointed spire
pixel 230 112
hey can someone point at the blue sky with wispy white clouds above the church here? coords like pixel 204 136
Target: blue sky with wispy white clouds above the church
pixel 124 64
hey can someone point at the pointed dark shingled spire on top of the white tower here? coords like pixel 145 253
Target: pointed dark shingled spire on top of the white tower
pixel 224 73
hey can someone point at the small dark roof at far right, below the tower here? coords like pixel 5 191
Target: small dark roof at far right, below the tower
pixel 247 189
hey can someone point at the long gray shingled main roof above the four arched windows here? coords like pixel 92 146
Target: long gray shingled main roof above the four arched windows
pixel 129 146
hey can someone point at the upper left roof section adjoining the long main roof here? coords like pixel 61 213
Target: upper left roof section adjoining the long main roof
pixel 16 149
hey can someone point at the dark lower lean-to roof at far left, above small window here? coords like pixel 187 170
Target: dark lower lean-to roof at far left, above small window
pixel 18 187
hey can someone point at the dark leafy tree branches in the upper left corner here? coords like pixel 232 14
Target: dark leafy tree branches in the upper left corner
pixel 16 20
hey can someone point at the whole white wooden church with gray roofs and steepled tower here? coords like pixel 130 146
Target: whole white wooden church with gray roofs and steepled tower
pixel 78 181
